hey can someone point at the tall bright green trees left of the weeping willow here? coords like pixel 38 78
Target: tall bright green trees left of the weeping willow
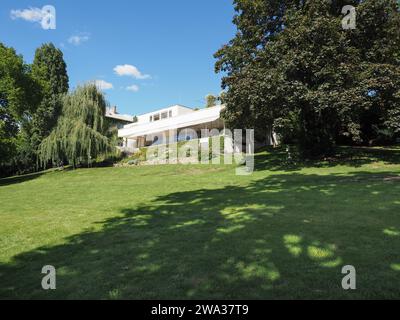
pixel 31 100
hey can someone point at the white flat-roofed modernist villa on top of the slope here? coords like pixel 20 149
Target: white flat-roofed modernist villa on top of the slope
pixel 175 123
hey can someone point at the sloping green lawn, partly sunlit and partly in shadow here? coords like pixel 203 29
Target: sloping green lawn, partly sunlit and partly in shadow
pixel 202 232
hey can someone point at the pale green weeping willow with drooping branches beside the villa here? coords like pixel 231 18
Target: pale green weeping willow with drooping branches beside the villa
pixel 81 132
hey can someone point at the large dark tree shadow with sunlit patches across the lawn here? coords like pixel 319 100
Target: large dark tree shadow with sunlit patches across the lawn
pixel 287 236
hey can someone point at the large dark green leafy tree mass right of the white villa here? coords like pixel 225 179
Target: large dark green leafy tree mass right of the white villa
pixel 291 60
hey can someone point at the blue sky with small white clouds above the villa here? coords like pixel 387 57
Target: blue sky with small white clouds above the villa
pixel 154 53
